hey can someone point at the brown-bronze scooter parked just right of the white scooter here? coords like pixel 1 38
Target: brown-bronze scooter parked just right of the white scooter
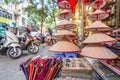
pixel 27 42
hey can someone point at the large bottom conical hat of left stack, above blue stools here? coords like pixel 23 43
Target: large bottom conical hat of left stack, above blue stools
pixel 64 46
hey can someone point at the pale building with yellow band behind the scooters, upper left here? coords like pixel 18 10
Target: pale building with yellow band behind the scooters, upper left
pixel 12 14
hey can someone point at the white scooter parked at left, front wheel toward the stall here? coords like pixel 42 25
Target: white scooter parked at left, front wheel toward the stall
pixel 10 45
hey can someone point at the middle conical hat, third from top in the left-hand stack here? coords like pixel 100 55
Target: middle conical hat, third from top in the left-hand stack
pixel 65 24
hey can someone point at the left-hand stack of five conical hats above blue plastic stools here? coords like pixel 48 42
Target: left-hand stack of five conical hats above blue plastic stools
pixel 64 35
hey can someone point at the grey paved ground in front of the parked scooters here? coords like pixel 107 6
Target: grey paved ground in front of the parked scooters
pixel 9 68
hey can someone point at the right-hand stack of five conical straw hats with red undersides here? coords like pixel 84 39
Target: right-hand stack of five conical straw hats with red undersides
pixel 95 49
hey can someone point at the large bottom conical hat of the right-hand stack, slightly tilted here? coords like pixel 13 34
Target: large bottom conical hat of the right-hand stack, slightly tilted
pixel 97 51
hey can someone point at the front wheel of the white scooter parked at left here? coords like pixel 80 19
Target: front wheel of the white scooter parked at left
pixel 10 52
